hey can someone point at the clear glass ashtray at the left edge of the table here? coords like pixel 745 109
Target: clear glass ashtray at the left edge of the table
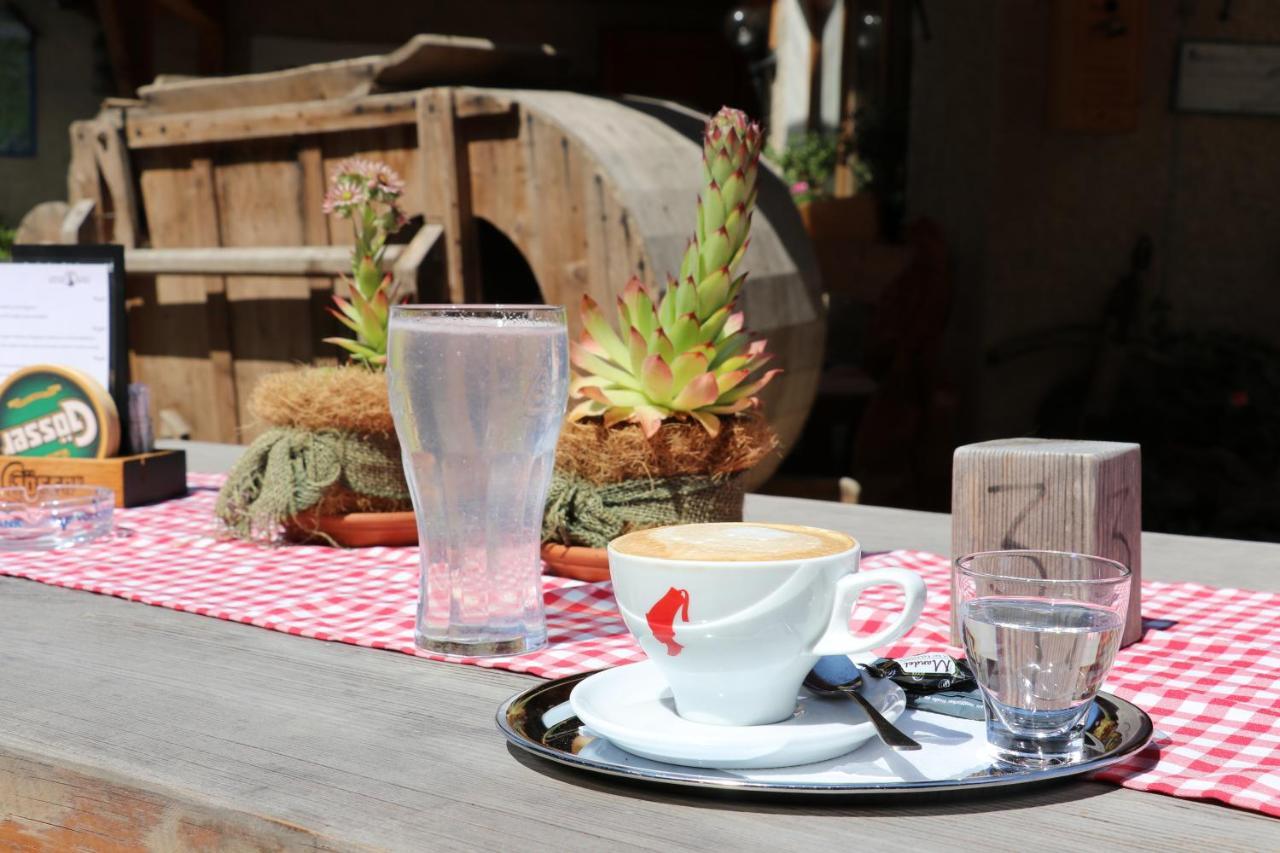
pixel 54 517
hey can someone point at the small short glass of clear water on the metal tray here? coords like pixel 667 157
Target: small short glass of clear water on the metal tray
pixel 1041 630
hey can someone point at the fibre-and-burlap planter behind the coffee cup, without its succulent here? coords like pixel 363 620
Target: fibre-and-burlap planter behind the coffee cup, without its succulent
pixel 614 481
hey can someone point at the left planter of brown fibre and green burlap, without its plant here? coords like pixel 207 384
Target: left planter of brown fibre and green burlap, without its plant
pixel 330 453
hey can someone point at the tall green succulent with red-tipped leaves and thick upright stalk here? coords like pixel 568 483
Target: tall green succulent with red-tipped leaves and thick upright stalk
pixel 687 355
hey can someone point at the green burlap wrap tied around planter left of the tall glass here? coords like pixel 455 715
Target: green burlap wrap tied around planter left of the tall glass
pixel 287 472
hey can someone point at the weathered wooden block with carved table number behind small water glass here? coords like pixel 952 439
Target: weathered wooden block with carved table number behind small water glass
pixel 1054 495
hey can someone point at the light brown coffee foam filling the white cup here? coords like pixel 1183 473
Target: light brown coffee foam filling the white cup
pixel 734 542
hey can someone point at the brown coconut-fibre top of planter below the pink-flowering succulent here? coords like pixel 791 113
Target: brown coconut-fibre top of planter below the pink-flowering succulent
pixel 351 399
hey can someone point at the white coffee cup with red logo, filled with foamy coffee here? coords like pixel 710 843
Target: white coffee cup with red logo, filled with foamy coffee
pixel 735 637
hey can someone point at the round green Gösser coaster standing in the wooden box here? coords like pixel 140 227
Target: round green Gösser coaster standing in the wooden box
pixel 56 412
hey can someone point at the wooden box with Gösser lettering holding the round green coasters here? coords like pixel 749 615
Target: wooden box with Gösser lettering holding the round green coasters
pixel 144 478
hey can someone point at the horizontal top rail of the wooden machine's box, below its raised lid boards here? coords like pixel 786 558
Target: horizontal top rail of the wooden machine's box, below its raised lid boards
pixel 269 121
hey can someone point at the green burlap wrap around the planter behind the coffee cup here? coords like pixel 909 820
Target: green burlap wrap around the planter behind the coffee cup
pixel 582 513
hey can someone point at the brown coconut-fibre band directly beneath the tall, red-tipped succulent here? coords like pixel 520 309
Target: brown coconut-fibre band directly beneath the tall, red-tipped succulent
pixel 680 449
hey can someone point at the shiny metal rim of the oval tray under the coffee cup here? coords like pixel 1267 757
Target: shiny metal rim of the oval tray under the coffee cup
pixel 1135 743
